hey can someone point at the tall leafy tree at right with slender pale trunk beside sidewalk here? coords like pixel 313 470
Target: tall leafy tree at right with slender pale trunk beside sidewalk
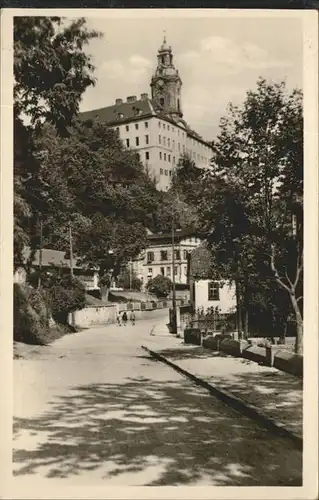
pixel 251 202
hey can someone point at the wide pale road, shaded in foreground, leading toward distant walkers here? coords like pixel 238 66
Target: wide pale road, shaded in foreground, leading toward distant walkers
pixel 95 407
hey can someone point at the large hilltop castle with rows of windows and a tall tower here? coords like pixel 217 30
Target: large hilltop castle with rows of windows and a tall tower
pixel 154 127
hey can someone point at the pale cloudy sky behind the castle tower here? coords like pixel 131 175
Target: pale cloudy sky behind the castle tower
pixel 219 59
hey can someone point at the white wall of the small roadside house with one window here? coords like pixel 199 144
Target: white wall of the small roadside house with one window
pixel 227 297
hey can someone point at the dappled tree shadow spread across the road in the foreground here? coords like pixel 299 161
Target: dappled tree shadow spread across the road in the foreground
pixel 151 432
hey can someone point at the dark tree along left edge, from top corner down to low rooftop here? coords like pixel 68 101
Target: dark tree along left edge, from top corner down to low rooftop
pixel 51 71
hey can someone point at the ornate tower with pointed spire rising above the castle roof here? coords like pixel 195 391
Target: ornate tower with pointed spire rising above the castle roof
pixel 166 83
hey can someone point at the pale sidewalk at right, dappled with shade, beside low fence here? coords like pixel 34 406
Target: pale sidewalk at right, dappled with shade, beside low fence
pixel 274 394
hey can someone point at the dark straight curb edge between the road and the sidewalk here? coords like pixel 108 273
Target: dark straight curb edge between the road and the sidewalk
pixel 234 402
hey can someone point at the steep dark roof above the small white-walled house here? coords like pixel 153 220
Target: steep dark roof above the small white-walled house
pixel 202 265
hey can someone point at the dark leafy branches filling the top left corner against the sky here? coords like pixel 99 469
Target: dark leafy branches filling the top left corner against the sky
pixel 51 68
